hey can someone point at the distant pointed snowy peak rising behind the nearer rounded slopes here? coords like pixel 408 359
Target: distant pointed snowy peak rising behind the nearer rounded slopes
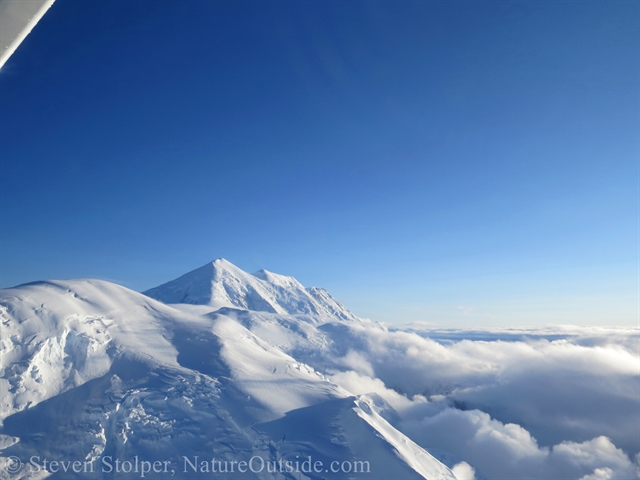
pixel 222 284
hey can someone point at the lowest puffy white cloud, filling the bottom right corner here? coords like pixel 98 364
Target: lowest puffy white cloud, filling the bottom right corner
pixel 498 450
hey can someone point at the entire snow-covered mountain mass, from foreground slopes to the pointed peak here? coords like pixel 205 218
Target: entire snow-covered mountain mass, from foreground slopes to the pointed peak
pixel 119 382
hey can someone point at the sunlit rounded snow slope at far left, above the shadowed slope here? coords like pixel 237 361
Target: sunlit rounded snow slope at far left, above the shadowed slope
pixel 57 335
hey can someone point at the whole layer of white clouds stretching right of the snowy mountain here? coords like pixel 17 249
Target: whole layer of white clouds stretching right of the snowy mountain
pixel 556 403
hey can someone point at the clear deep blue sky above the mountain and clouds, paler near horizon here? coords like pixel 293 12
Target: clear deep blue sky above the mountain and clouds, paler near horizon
pixel 462 163
